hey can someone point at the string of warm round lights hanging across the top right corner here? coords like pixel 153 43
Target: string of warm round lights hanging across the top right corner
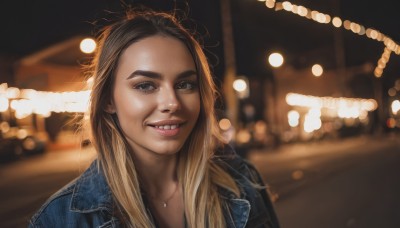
pixel 390 45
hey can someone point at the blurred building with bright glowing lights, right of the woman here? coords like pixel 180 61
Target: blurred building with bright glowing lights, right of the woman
pixel 329 96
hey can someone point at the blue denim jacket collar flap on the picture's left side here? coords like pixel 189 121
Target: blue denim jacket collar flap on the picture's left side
pixel 91 192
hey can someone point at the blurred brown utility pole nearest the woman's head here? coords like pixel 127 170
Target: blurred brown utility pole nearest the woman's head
pixel 230 62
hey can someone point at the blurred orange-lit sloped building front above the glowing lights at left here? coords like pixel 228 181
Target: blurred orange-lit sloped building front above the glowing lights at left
pixel 56 68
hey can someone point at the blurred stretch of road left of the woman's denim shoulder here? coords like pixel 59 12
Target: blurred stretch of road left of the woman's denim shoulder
pixel 26 184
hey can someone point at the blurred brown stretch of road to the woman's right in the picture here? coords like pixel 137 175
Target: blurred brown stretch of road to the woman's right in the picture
pixel 349 183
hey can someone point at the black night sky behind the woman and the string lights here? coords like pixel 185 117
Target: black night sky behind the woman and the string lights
pixel 29 26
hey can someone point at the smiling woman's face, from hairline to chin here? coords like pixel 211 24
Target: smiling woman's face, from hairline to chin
pixel 156 96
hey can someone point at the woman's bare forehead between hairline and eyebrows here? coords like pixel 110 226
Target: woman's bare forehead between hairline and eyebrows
pixel 156 53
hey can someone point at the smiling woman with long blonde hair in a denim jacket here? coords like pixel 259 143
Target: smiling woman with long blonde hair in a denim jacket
pixel 160 160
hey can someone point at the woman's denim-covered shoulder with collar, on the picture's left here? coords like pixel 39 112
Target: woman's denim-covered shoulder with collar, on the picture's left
pixel 77 201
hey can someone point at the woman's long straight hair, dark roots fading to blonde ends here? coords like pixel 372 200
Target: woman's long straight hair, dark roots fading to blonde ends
pixel 198 174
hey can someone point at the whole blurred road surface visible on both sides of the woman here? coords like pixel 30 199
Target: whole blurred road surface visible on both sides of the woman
pixel 330 184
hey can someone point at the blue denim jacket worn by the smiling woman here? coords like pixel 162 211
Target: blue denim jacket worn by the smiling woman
pixel 87 201
